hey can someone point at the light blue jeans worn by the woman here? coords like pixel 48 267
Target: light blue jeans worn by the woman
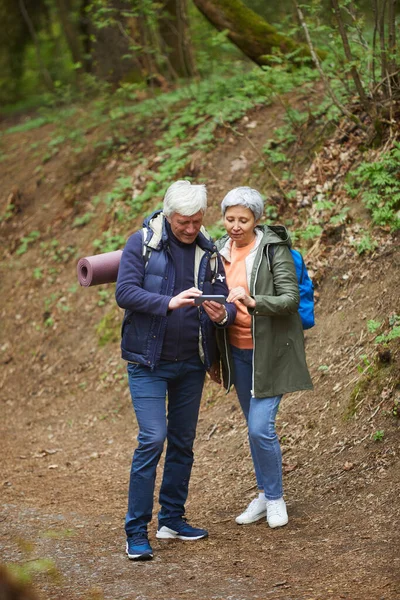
pixel 260 414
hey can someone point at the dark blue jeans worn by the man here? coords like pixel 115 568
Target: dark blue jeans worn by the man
pixel 183 383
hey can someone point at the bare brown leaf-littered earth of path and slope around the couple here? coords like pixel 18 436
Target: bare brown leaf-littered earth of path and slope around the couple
pixel 67 428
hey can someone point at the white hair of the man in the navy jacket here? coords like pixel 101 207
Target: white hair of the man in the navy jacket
pixel 184 198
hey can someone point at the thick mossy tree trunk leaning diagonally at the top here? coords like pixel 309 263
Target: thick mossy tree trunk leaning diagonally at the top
pixel 256 38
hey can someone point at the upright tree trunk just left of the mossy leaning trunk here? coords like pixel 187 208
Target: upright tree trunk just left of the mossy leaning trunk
pixel 173 28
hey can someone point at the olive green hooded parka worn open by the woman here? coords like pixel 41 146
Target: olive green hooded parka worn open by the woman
pixel 279 361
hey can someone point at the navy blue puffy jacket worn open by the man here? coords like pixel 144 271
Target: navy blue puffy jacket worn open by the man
pixel 145 287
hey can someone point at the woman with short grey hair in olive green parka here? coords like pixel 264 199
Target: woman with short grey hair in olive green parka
pixel 262 352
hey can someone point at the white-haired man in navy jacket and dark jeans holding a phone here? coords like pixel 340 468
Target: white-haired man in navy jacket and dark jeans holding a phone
pixel 168 340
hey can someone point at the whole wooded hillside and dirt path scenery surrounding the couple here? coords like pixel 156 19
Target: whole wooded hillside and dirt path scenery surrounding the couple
pixel 102 105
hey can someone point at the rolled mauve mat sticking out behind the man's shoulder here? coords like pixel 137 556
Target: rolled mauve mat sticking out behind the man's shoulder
pixel 98 269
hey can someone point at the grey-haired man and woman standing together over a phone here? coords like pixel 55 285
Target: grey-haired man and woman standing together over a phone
pixel 170 341
